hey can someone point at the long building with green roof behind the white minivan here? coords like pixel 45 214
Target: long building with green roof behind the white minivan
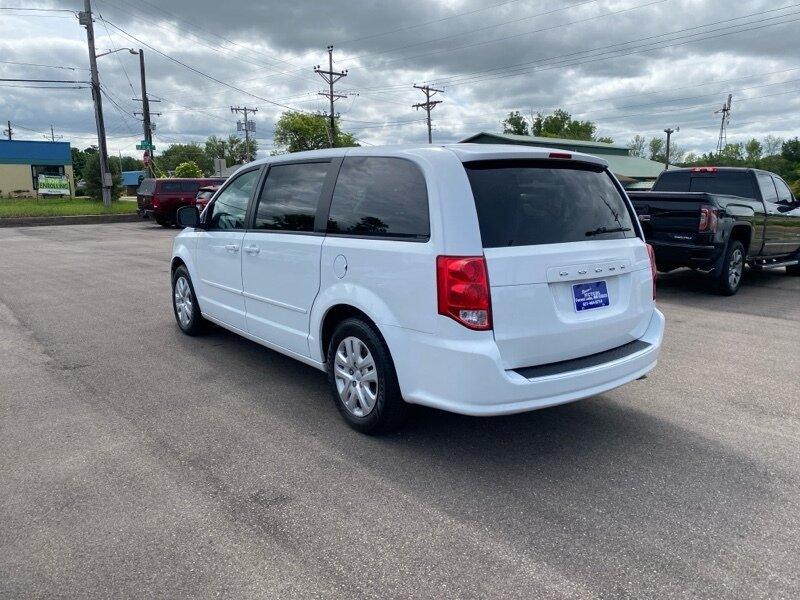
pixel 632 171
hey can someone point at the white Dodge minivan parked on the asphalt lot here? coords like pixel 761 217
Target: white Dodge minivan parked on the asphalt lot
pixel 478 279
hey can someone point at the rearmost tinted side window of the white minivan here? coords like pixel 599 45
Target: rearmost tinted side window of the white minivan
pixel 378 196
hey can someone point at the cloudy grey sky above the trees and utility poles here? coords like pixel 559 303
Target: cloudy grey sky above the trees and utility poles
pixel 633 66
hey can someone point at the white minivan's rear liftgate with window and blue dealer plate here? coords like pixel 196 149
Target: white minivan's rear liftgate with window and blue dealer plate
pixel 569 275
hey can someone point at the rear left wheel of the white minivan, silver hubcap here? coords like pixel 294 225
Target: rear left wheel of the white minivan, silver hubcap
pixel 363 379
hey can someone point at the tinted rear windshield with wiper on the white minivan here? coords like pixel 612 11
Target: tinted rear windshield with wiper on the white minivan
pixel 525 203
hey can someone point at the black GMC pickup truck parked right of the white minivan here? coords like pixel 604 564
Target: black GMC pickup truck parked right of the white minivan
pixel 717 219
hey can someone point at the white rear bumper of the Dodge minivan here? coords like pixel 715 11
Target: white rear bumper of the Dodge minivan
pixel 468 377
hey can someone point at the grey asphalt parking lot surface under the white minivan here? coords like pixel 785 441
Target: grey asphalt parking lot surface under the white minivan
pixel 138 462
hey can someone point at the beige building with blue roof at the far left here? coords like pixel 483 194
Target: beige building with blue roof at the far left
pixel 22 161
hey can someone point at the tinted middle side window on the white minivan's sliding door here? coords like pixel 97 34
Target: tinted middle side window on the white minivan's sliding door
pixel 290 196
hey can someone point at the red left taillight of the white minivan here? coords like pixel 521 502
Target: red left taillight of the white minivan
pixel 463 287
